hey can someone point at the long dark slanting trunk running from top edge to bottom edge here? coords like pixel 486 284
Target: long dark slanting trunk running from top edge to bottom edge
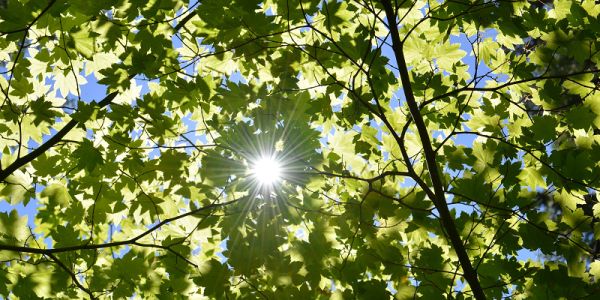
pixel 440 202
